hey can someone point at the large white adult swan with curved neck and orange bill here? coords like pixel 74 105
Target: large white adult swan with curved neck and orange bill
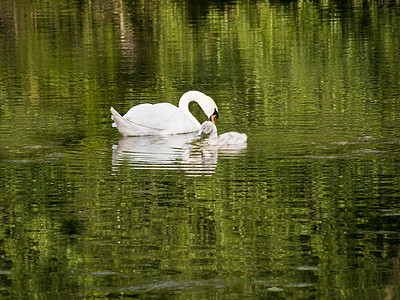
pixel 164 118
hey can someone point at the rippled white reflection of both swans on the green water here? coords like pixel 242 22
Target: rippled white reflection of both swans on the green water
pixel 174 152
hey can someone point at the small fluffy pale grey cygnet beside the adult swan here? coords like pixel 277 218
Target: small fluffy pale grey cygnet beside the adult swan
pixel 229 138
